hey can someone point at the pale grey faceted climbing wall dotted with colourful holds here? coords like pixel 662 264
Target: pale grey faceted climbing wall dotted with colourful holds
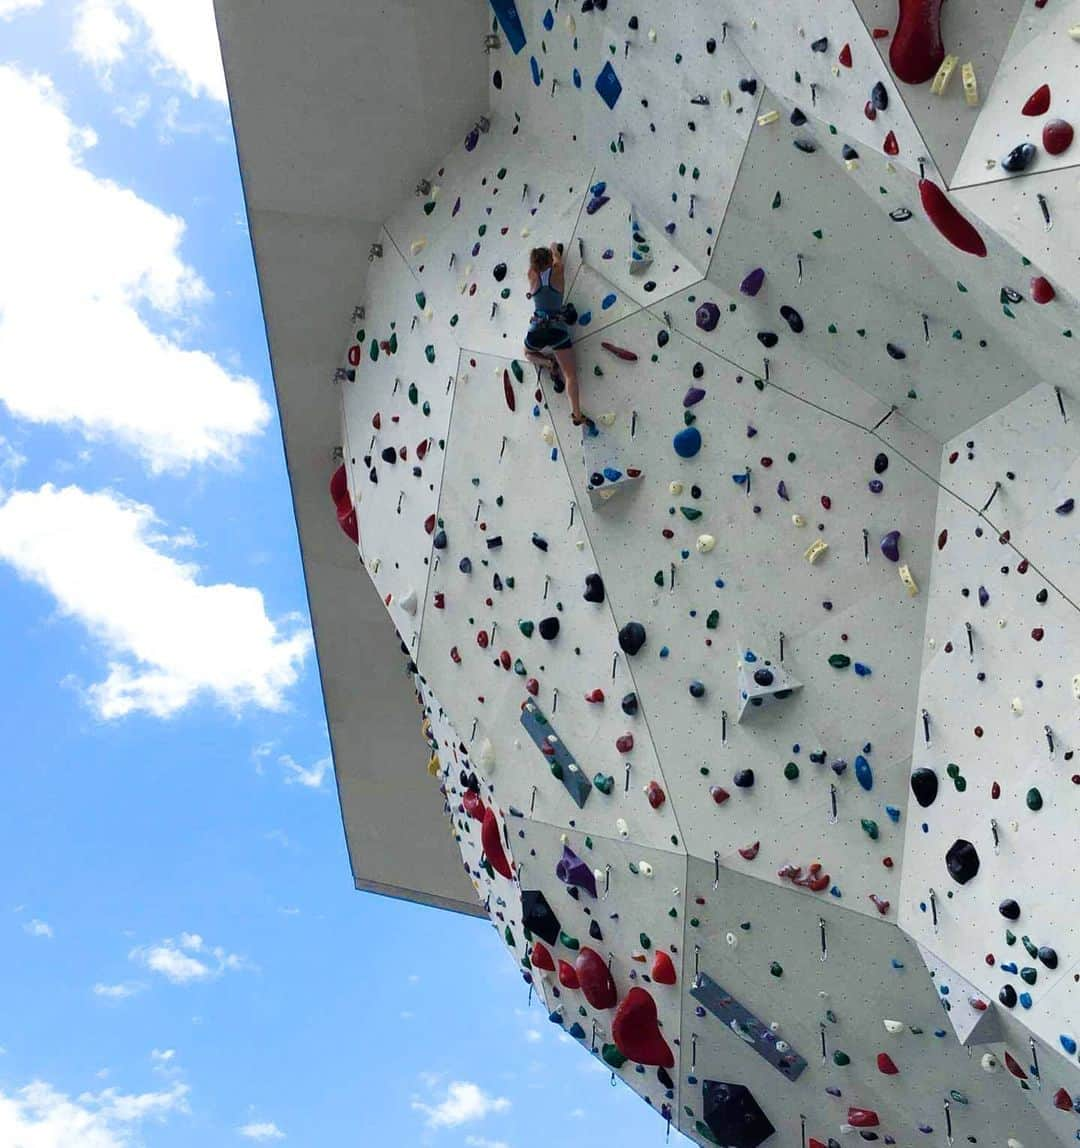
pixel 753 700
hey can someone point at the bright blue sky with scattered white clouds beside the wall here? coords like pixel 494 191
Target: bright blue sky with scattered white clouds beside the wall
pixel 183 957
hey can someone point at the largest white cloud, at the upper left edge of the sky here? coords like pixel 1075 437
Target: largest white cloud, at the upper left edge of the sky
pixel 121 263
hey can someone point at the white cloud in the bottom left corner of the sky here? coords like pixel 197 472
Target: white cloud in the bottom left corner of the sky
pixel 38 1116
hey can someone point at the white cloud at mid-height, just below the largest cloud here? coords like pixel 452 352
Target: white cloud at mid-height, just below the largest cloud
pixel 170 639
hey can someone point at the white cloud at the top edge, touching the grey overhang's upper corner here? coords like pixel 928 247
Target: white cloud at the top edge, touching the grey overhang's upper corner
pixel 180 40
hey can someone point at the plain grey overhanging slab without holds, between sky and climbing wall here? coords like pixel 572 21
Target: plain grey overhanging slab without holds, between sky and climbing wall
pixel 339 110
